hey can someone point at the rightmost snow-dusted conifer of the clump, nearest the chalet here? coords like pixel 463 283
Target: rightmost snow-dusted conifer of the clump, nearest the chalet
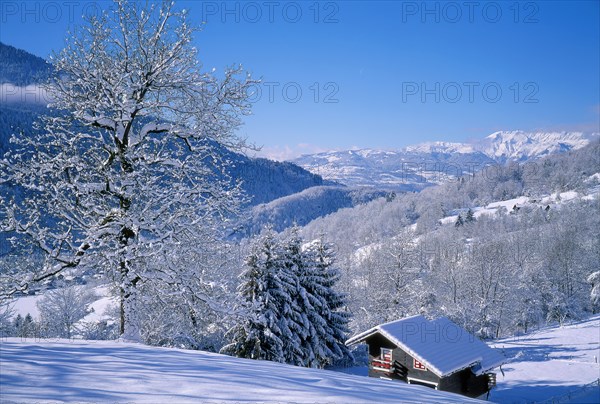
pixel 328 318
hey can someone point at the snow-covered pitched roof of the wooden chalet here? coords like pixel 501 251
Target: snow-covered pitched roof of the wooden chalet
pixel 443 346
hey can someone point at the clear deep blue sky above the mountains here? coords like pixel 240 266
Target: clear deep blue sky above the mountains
pixel 338 75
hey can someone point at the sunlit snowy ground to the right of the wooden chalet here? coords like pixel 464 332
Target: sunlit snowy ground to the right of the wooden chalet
pixel 553 363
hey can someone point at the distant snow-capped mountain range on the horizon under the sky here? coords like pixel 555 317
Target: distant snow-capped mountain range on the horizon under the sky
pixel 415 167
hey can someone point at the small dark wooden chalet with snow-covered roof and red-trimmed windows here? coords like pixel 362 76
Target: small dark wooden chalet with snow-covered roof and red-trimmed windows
pixel 434 353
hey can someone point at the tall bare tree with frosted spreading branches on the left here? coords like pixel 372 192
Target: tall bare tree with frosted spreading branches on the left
pixel 128 168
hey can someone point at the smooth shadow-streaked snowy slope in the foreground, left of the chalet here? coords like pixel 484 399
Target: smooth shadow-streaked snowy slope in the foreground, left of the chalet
pixel 82 371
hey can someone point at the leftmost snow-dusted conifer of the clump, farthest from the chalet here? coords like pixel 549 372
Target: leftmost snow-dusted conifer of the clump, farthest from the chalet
pixel 258 335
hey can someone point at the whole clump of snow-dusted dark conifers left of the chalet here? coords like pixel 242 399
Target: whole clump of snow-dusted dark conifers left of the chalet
pixel 292 313
